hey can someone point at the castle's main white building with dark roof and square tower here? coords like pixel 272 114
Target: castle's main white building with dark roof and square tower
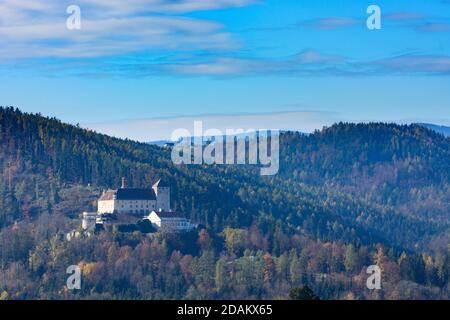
pixel 135 201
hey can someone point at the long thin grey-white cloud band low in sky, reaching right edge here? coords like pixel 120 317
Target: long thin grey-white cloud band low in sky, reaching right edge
pixel 306 63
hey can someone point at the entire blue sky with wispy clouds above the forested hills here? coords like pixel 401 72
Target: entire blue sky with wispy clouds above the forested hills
pixel 141 68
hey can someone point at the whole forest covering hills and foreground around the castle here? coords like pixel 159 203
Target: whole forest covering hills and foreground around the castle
pixel 346 197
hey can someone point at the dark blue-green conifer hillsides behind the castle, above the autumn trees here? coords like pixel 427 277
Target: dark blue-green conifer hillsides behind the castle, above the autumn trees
pixel 353 182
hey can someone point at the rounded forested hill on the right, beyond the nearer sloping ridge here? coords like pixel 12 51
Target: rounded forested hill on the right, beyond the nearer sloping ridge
pixel 397 170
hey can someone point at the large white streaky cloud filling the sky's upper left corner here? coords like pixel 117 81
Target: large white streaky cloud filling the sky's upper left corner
pixel 34 29
